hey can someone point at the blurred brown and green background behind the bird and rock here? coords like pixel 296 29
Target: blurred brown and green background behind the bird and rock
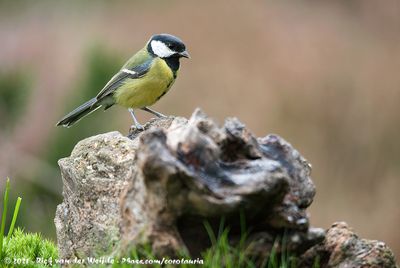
pixel 325 75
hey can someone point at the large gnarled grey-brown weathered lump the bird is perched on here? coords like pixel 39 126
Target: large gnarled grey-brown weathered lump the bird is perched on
pixel 159 186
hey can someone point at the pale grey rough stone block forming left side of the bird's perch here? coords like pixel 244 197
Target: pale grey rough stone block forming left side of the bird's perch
pixel 94 176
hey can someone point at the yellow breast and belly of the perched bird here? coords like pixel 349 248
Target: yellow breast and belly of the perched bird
pixel 145 91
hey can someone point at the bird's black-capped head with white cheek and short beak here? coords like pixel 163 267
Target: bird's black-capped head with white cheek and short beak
pixel 167 46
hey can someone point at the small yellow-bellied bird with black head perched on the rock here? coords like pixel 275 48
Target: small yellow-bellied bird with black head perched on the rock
pixel 142 80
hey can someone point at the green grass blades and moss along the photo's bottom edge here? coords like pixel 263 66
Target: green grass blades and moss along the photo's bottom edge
pixel 19 249
